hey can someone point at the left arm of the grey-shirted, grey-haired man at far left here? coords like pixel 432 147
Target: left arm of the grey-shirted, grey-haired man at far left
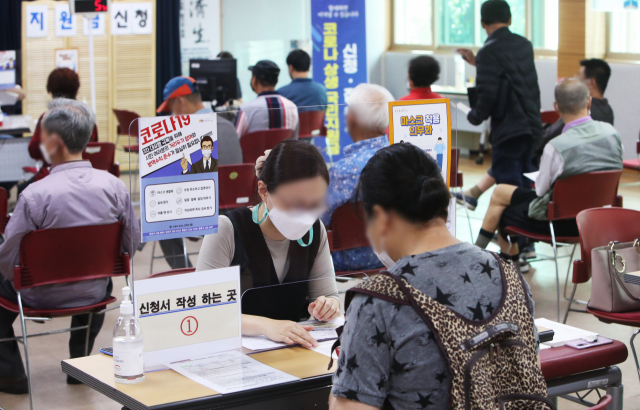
pixel 19 225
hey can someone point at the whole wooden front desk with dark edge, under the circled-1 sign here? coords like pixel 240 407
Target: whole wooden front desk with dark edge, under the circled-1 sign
pixel 167 389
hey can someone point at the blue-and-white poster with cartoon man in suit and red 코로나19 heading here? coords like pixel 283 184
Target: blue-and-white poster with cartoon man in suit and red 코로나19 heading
pixel 179 176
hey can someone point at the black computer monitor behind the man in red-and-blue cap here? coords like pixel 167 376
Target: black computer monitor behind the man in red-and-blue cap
pixel 216 79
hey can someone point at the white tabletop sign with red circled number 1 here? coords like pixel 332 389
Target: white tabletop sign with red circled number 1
pixel 191 314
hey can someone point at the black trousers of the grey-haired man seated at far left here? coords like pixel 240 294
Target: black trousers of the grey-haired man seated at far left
pixel 10 360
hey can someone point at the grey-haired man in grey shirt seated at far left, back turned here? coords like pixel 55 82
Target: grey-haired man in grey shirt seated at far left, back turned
pixel 74 194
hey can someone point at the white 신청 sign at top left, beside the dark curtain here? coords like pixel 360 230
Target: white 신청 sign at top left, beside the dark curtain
pixel 131 18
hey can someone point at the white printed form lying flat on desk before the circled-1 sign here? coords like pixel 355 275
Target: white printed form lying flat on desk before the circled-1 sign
pixel 230 372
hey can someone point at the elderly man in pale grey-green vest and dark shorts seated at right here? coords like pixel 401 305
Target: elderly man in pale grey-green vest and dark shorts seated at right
pixel 584 146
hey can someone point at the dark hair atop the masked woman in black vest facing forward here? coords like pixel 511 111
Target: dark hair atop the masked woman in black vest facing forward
pixel 292 160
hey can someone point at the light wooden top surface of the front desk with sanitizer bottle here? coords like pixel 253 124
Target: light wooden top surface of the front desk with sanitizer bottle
pixel 167 386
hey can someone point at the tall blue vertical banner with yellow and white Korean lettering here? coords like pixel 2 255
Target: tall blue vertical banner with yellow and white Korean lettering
pixel 338 32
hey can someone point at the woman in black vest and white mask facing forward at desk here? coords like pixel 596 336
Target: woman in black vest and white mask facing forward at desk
pixel 280 241
